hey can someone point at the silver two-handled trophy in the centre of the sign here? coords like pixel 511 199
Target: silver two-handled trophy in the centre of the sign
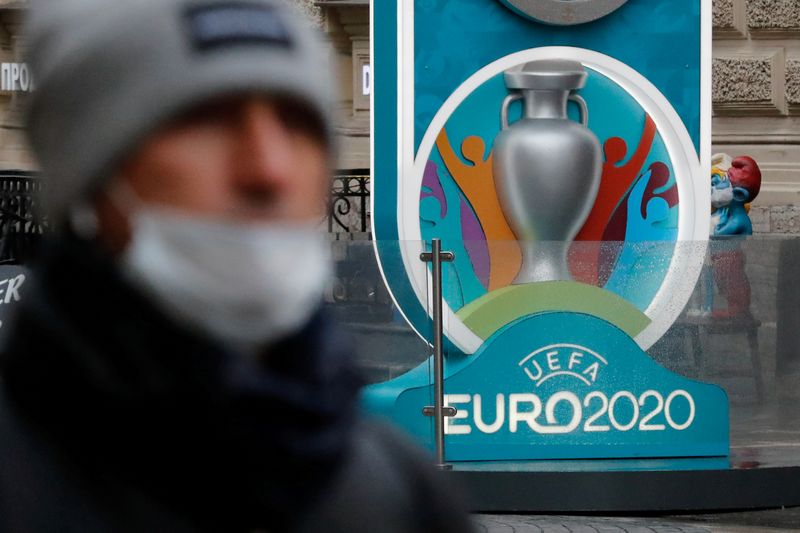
pixel 547 167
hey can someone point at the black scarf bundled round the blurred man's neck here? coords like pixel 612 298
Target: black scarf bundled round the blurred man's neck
pixel 128 393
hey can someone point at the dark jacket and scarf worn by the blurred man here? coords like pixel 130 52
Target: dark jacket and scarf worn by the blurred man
pixel 113 418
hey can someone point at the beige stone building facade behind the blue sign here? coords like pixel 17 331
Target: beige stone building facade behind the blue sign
pixel 756 92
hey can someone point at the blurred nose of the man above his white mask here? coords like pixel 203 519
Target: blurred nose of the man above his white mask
pixel 264 157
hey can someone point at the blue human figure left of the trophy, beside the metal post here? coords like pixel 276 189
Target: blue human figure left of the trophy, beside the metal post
pixel 461 284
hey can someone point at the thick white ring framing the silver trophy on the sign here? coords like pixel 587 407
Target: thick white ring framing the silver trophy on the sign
pixel 687 262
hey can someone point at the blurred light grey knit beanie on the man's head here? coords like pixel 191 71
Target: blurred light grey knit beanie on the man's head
pixel 109 72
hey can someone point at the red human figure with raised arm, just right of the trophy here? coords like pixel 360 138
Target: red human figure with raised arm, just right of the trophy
pixel 615 183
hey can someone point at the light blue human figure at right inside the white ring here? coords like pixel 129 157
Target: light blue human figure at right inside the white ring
pixel 648 248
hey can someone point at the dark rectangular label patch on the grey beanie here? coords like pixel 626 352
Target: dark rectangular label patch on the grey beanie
pixel 235 23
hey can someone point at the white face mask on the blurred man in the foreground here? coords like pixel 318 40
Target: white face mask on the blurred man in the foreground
pixel 248 284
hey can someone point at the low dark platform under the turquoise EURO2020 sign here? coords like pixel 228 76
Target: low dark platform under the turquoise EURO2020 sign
pixel 633 486
